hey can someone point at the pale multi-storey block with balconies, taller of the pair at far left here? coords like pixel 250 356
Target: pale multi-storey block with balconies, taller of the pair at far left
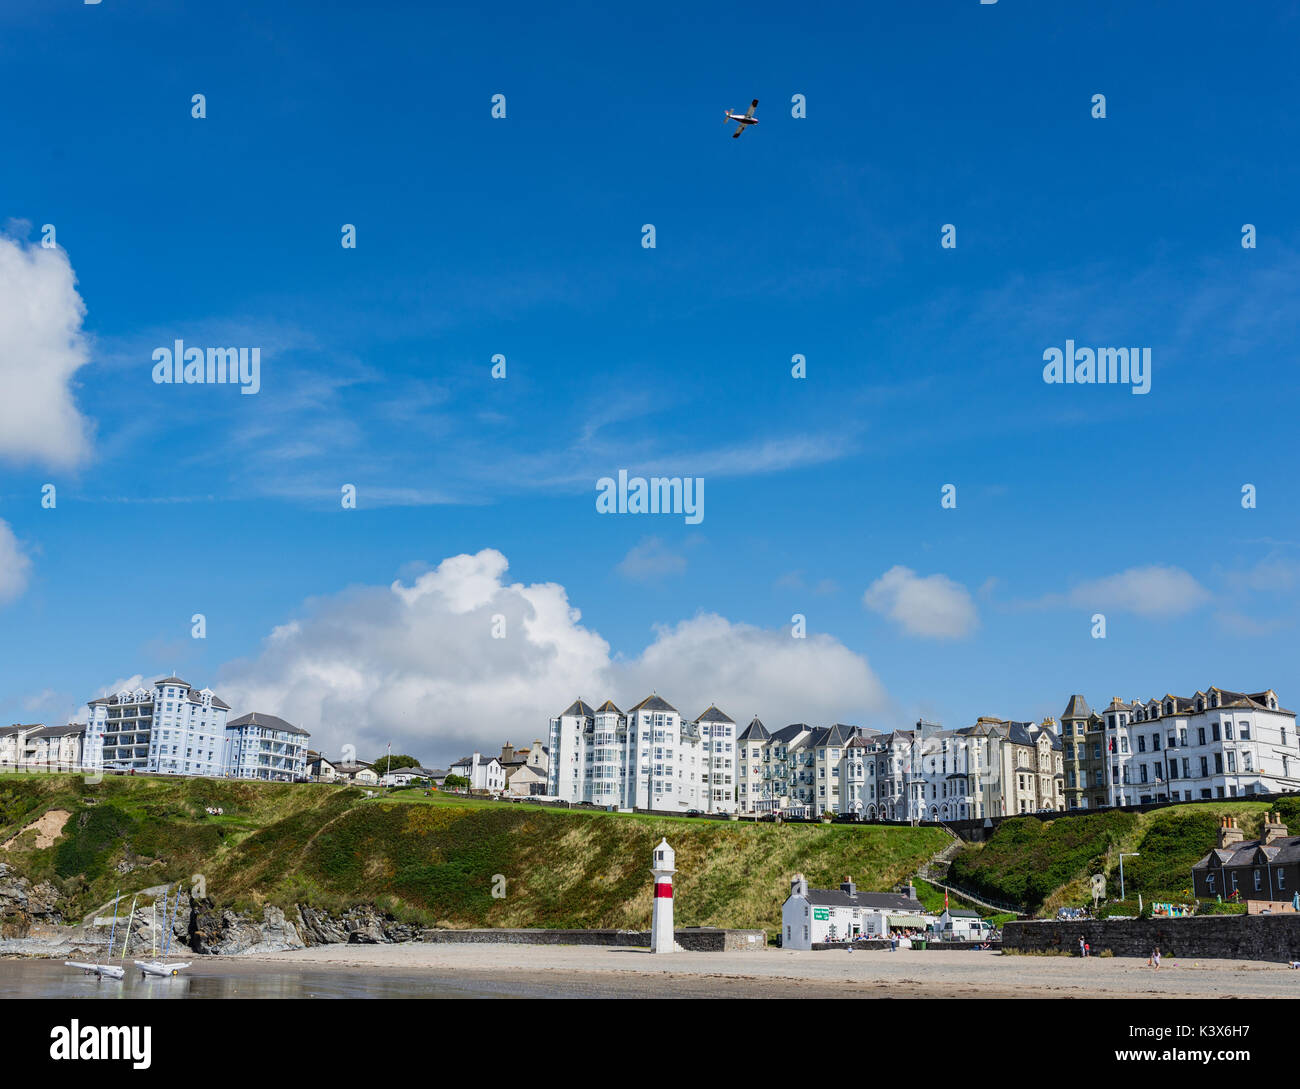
pixel 170 727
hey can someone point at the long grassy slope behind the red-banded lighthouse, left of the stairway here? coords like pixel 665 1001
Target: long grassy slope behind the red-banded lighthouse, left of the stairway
pixel 431 861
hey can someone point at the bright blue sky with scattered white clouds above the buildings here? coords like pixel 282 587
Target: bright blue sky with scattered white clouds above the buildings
pixel 816 236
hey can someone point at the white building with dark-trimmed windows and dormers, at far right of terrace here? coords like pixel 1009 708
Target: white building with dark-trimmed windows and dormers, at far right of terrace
pixel 1216 744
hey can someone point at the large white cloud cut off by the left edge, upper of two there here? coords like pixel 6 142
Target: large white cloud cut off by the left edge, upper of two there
pixel 42 348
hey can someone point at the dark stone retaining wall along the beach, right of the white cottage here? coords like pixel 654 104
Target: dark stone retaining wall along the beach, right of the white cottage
pixel 1250 938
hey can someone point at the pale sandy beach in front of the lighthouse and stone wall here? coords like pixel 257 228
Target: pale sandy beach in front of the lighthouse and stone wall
pixel 785 974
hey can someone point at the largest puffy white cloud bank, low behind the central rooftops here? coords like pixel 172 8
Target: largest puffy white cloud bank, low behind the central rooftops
pixel 418 665
